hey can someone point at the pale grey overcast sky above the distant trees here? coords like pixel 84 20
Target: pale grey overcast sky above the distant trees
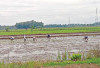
pixel 48 11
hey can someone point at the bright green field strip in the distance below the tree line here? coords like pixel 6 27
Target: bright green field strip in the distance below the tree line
pixel 50 30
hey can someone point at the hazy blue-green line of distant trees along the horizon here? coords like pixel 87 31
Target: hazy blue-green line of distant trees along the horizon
pixel 34 24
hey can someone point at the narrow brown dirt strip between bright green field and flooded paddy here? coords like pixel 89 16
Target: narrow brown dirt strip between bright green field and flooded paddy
pixel 52 35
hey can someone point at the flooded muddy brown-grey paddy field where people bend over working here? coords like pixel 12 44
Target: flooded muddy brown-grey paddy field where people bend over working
pixel 43 48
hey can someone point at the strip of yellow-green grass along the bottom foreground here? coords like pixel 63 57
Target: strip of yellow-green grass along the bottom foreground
pixel 48 64
